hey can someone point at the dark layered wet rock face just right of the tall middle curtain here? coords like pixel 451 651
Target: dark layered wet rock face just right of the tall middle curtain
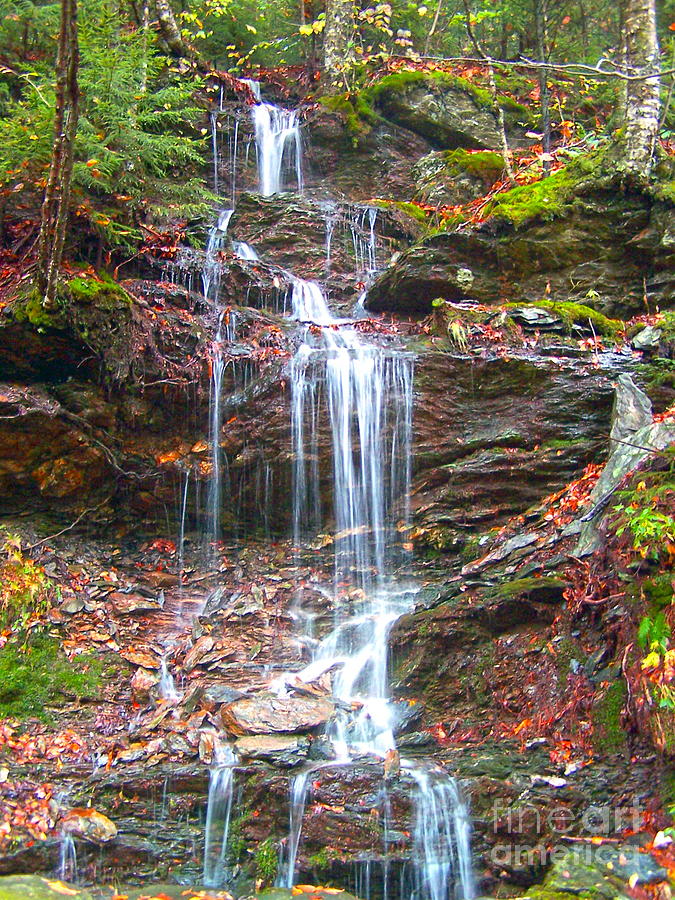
pixel 494 436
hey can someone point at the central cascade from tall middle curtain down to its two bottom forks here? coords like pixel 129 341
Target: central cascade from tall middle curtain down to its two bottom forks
pixel 368 407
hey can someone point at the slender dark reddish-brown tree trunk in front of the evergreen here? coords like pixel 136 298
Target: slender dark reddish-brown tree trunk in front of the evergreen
pixel 54 217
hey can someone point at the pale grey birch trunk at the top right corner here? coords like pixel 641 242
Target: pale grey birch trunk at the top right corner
pixel 642 96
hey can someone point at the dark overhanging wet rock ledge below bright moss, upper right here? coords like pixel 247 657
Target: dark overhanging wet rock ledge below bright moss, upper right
pixel 589 254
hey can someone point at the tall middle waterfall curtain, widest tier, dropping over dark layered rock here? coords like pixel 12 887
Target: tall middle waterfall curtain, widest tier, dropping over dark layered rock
pixel 369 413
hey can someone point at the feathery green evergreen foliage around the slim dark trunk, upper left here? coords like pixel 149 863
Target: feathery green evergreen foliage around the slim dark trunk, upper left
pixel 138 151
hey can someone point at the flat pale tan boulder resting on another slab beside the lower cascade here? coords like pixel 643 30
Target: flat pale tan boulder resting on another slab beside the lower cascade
pixel 268 714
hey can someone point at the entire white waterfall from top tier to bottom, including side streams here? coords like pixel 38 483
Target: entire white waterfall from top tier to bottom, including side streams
pixel 351 401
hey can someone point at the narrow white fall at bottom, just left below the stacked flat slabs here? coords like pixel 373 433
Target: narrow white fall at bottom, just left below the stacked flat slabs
pixel 218 814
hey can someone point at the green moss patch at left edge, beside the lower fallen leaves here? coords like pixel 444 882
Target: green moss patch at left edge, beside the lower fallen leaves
pixel 39 675
